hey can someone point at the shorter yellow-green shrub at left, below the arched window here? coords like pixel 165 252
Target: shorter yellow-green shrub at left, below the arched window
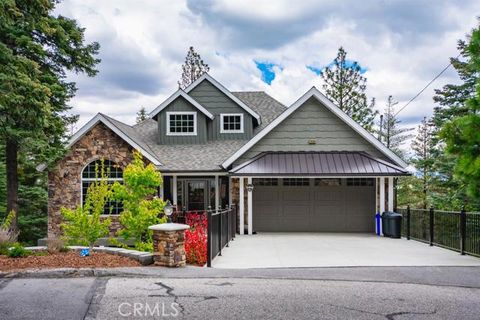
pixel 83 226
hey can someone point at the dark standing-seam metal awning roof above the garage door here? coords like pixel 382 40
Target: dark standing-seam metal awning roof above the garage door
pixel 317 164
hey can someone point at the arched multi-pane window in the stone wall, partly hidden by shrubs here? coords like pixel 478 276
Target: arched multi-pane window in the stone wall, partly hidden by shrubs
pixel 113 173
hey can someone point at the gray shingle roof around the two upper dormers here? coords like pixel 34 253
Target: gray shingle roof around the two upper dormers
pixel 201 157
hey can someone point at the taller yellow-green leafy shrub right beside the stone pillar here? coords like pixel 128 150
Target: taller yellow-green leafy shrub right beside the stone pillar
pixel 141 208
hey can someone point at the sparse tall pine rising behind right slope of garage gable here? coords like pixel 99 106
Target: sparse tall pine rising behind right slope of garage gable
pixel 345 86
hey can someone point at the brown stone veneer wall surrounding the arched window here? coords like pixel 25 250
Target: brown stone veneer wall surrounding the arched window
pixel 64 180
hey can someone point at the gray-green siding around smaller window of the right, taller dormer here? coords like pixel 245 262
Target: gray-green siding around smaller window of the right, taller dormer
pixel 217 103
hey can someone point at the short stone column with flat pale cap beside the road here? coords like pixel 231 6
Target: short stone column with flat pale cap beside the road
pixel 169 244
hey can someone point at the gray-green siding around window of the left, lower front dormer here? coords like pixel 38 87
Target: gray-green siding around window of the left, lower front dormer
pixel 180 104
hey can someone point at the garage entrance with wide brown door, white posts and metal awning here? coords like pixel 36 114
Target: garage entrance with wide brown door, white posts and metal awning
pixel 314 191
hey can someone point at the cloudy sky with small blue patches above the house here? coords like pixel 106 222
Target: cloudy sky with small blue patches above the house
pixel 264 45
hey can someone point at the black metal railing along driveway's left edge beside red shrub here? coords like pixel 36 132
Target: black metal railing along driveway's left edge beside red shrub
pixel 221 230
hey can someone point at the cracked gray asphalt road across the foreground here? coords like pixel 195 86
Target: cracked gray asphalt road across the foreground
pixel 344 293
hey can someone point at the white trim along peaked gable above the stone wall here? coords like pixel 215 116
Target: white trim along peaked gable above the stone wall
pixel 103 119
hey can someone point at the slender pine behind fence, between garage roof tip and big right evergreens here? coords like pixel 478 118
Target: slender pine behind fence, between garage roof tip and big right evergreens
pixel 423 159
